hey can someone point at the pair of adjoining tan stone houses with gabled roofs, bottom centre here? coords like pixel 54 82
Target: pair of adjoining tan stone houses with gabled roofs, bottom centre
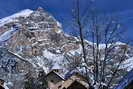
pixel 56 81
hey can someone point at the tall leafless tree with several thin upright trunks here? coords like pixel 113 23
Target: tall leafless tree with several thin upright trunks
pixel 104 32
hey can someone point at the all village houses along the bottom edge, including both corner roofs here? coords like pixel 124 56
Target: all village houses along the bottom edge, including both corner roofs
pixel 76 80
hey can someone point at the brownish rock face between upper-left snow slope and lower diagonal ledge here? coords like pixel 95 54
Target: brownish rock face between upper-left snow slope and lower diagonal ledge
pixel 39 35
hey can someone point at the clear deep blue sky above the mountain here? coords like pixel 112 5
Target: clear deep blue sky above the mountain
pixel 62 9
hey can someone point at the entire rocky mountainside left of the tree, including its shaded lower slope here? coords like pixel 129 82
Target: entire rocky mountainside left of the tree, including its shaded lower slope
pixel 39 40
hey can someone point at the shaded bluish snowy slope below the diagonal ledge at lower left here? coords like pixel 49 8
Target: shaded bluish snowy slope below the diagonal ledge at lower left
pixel 13 68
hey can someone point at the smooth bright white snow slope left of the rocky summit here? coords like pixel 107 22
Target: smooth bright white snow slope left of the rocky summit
pixel 23 13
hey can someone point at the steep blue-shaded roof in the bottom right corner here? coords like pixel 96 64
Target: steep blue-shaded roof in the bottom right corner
pixel 126 80
